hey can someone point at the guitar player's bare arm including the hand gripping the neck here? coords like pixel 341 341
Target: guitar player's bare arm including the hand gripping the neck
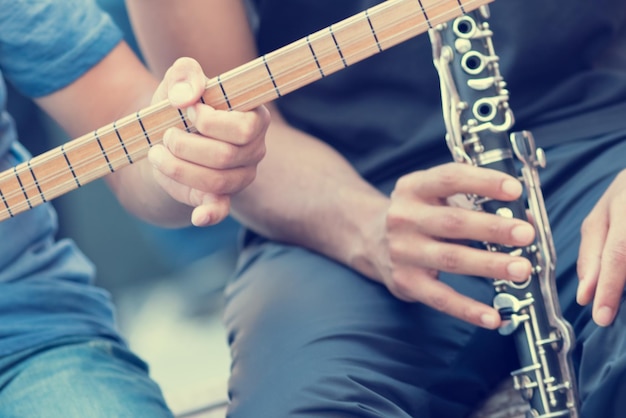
pixel 193 189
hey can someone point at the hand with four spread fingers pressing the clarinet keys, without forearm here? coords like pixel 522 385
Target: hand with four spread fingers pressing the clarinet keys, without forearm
pixel 425 231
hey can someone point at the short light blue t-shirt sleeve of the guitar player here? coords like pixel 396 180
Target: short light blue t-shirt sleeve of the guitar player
pixel 47 44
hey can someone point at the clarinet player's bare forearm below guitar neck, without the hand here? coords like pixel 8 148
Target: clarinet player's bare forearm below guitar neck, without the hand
pixel 306 193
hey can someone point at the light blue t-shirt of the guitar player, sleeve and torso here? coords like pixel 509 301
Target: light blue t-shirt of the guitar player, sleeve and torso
pixel 46 289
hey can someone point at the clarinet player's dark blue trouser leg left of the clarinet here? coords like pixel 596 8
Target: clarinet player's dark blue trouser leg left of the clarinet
pixel 312 338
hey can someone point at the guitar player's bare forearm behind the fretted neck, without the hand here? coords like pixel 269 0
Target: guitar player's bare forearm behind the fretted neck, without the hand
pixel 118 86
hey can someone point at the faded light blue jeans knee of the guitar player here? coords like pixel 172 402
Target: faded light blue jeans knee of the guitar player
pixel 78 379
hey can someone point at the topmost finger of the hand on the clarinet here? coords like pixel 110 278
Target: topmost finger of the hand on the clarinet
pixel 449 179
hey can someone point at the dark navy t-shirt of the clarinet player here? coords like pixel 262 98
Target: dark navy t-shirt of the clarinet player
pixel 564 62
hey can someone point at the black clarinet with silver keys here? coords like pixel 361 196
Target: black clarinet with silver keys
pixel 478 119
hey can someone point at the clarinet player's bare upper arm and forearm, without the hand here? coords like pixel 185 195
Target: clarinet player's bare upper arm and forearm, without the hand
pixel 297 166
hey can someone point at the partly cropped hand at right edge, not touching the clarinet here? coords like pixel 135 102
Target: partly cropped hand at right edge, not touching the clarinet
pixel 602 255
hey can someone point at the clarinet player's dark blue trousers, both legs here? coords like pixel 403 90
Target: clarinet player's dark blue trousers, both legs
pixel 312 338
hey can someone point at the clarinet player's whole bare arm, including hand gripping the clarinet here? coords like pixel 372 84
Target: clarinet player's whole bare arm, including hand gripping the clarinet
pixel 307 194
